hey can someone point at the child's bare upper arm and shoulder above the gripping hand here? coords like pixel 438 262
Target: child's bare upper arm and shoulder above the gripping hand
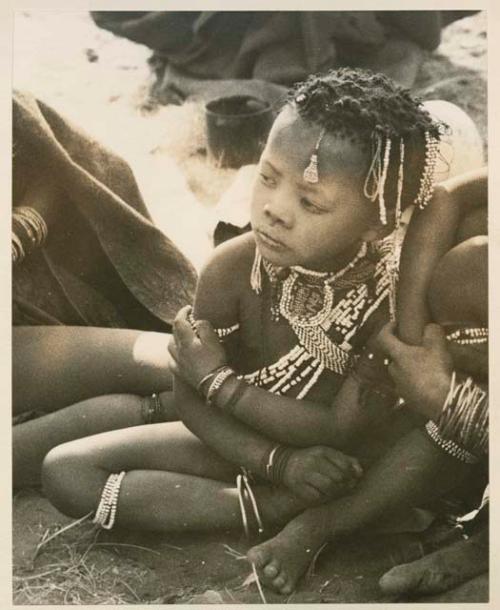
pixel 223 279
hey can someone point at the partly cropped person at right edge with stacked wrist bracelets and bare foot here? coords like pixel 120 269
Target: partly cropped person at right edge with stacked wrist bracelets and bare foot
pixel 444 278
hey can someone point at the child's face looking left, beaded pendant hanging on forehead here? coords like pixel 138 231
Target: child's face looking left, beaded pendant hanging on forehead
pixel 318 226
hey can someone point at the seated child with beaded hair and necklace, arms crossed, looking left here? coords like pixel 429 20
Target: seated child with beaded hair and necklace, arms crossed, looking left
pixel 295 302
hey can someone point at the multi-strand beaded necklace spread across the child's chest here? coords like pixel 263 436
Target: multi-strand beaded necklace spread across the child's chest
pixel 306 299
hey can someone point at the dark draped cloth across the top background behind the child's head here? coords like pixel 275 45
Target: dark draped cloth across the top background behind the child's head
pixel 212 53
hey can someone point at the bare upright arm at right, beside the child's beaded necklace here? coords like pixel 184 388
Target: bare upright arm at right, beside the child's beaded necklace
pixel 431 233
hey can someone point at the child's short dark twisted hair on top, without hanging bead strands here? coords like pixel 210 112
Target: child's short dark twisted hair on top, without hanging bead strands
pixel 355 102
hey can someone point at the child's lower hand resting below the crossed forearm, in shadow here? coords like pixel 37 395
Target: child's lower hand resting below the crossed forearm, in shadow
pixel 317 473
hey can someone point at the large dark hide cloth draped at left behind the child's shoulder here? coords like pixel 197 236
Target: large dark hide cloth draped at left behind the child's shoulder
pixel 104 263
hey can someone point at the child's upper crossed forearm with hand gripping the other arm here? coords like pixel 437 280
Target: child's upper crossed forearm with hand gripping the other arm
pixel 287 420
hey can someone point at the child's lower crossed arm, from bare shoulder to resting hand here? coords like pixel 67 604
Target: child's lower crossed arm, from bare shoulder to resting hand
pixel 217 298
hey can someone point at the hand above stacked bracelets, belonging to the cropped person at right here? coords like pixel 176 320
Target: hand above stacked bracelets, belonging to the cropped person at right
pixel 422 374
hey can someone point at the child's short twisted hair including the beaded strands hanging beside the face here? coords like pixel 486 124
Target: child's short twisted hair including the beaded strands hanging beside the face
pixel 385 119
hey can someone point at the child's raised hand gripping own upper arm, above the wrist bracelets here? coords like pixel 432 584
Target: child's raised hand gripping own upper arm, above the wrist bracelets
pixel 195 353
